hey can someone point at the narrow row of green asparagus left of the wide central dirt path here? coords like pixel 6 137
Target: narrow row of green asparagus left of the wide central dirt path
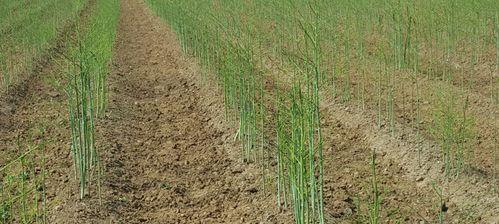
pixel 88 66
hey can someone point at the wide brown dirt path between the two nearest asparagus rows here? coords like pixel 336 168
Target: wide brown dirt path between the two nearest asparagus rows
pixel 166 155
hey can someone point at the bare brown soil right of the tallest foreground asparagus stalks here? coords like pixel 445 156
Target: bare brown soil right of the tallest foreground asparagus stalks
pixel 407 178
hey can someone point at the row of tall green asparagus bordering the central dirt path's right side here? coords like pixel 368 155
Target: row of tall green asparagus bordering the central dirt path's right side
pixel 225 47
